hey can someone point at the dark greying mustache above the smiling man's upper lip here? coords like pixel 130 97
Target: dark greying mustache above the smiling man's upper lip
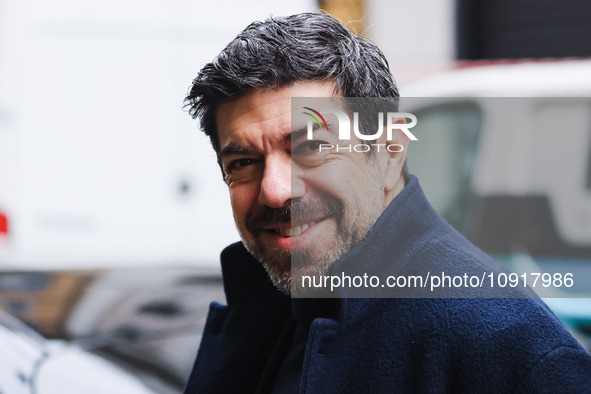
pixel 308 210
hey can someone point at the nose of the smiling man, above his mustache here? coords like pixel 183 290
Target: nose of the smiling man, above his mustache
pixel 276 186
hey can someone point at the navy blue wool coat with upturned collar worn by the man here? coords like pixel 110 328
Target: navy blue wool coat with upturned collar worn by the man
pixel 393 345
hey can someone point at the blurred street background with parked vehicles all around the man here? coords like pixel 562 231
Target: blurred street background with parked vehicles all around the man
pixel 112 208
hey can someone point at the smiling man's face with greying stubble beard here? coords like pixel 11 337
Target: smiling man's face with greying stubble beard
pixel 293 207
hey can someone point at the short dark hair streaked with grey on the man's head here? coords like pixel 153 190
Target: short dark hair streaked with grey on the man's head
pixel 284 50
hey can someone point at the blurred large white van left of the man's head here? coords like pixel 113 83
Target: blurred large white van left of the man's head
pixel 99 165
